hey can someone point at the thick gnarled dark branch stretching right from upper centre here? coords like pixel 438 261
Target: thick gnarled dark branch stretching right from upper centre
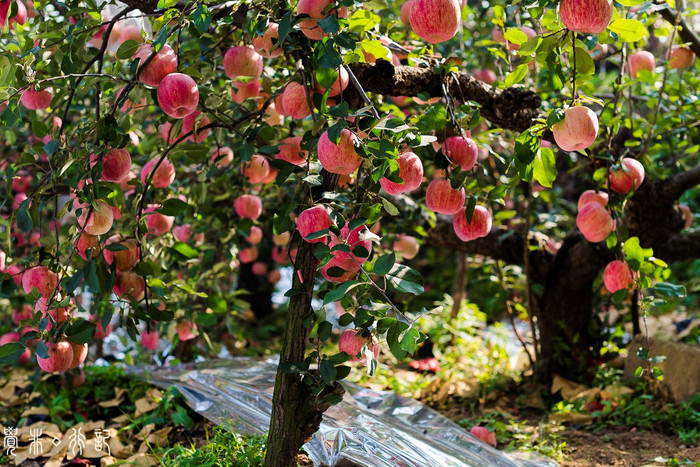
pixel 511 108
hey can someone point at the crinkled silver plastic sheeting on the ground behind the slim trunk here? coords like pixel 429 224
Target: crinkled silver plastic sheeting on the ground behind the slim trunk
pixel 372 428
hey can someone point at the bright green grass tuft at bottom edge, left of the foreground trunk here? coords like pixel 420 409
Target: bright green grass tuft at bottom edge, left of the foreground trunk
pixel 224 447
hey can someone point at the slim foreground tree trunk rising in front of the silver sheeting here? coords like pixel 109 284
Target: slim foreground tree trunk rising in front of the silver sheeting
pixel 296 411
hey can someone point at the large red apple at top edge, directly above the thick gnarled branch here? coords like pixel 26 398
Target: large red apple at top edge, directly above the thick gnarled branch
pixel 435 21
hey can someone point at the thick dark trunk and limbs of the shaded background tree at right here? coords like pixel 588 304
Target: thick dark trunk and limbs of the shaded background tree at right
pixel 564 311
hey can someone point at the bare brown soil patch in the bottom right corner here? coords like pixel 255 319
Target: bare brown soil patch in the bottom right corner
pixel 620 447
